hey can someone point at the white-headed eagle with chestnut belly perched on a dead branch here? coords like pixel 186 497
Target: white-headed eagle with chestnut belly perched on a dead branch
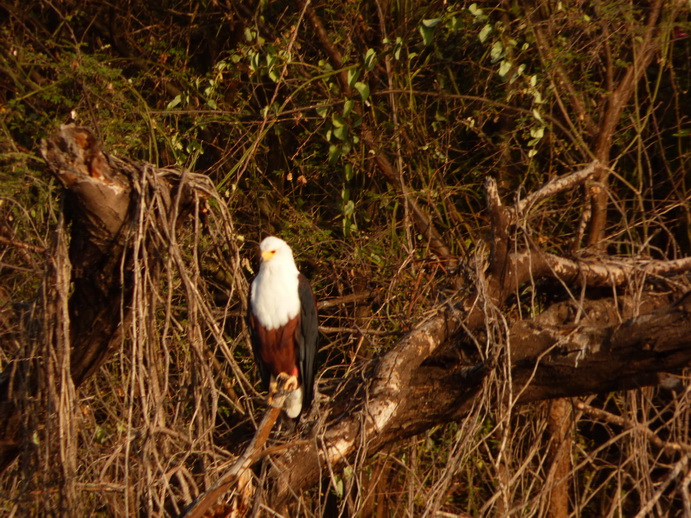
pixel 283 327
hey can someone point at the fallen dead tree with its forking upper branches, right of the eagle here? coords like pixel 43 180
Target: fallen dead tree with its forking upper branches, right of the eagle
pixel 404 397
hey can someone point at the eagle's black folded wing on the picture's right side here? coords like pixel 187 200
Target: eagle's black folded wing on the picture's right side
pixel 307 338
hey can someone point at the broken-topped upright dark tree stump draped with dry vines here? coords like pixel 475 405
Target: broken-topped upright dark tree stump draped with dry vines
pixel 102 197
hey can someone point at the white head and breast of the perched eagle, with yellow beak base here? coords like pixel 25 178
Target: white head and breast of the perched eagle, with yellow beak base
pixel 274 296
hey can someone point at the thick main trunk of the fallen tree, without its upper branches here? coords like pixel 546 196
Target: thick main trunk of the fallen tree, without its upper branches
pixel 548 362
